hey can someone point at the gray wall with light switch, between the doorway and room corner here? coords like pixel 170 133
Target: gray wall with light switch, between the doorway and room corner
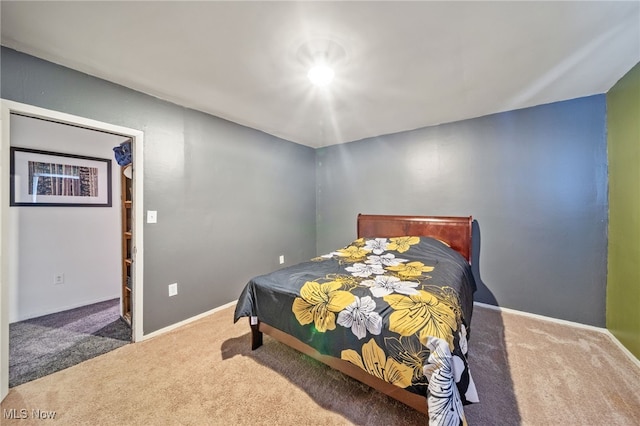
pixel 230 199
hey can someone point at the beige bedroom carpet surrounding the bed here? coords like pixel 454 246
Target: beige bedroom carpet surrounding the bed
pixel 527 371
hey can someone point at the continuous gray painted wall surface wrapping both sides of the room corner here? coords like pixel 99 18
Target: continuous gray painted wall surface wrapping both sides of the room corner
pixel 535 180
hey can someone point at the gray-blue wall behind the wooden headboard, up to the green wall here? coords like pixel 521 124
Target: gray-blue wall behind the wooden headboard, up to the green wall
pixel 535 180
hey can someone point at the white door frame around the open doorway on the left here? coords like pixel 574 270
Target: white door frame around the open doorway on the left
pixel 6 108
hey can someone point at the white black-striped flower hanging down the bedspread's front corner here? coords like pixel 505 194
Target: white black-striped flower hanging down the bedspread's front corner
pixel 445 405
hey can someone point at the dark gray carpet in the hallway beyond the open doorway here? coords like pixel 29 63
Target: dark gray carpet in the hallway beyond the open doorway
pixel 41 346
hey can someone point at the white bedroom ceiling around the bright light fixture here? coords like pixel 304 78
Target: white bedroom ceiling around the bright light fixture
pixel 399 65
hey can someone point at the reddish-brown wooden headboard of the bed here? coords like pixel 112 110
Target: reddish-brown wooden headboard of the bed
pixel 455 231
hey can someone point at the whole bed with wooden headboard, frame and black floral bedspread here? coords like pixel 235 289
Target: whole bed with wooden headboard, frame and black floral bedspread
pixel 392 310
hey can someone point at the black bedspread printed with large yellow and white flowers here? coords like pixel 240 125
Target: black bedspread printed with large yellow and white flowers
pixel 379 303
